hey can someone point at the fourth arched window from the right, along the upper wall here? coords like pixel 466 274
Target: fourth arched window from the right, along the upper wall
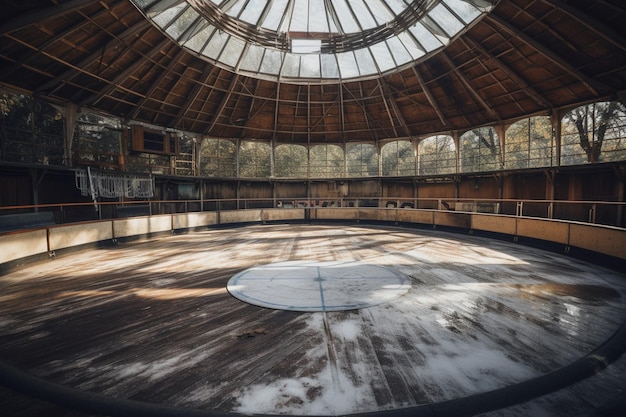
pixel 436 155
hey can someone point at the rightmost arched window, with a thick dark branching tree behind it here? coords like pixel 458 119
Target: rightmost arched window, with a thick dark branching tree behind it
pixel 594 133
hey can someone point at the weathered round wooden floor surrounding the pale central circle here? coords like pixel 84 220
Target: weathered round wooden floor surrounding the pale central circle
pixel 152 321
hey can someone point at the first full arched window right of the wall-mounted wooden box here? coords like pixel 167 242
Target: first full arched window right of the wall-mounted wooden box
pixel 218 158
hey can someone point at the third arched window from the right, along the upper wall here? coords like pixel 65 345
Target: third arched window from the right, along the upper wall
pixel 480 150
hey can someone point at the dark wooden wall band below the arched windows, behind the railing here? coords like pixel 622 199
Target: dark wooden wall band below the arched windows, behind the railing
pixel 601 182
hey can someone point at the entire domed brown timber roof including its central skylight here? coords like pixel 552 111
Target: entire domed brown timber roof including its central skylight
pixel 316 71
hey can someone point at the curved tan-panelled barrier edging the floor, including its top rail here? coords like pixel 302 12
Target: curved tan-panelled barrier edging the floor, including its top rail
pixel 80 224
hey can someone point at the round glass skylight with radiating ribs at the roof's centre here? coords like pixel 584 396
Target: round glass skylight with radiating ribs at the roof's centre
pixel 313 40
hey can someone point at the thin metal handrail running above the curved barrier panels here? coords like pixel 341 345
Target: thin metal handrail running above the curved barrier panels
pixel 596 212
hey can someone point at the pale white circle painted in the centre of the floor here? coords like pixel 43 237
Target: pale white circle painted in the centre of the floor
pixel 318 286
